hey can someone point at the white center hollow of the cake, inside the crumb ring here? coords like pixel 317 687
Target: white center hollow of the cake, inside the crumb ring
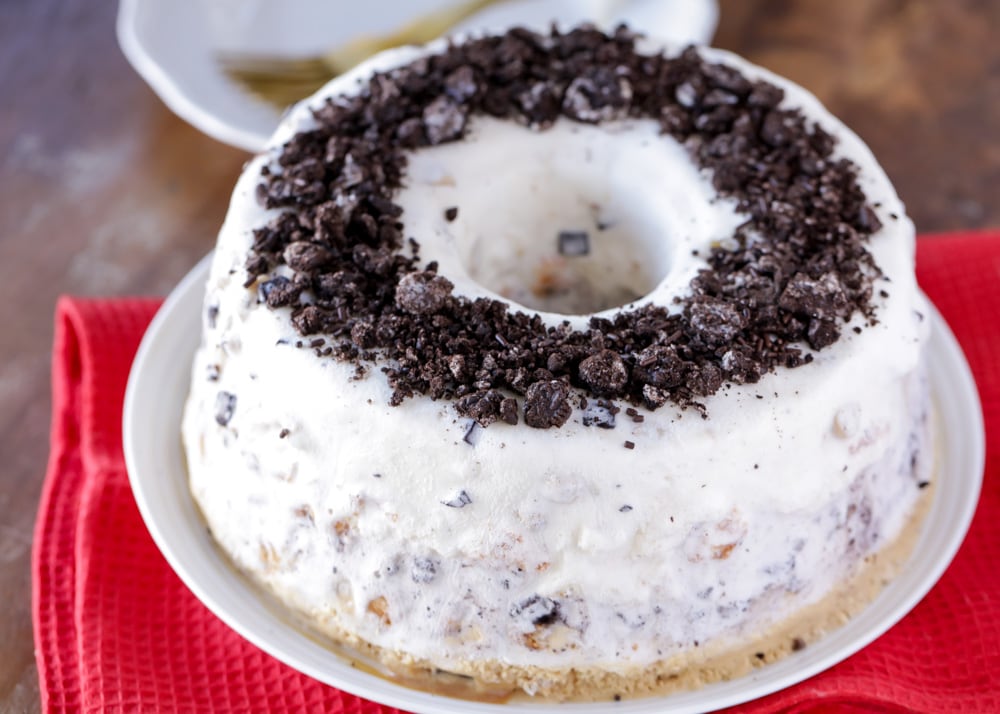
pixel 573 220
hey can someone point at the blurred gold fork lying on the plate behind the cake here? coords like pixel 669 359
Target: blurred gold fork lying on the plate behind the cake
pixel 281 81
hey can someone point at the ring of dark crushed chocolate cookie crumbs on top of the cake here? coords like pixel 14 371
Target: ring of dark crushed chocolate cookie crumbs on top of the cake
pixel 798 271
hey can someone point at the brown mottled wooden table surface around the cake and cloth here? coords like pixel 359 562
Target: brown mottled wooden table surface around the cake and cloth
pixel 104 192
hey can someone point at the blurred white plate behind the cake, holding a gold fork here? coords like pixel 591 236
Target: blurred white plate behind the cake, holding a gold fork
pixel 172 43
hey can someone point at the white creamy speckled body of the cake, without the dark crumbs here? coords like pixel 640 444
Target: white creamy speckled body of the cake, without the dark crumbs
pixel 698 532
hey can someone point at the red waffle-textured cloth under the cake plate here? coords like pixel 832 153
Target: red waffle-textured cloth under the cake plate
pixel 116 630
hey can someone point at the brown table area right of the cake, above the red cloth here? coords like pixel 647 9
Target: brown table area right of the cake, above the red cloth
pixel 919 81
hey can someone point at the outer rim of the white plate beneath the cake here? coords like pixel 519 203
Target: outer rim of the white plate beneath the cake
pixel 963 403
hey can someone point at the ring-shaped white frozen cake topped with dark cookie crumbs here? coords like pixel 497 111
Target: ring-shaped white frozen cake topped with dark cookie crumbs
pixel 563 364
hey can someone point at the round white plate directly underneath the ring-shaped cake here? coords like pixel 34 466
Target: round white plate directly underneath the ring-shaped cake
pixel 156 392
